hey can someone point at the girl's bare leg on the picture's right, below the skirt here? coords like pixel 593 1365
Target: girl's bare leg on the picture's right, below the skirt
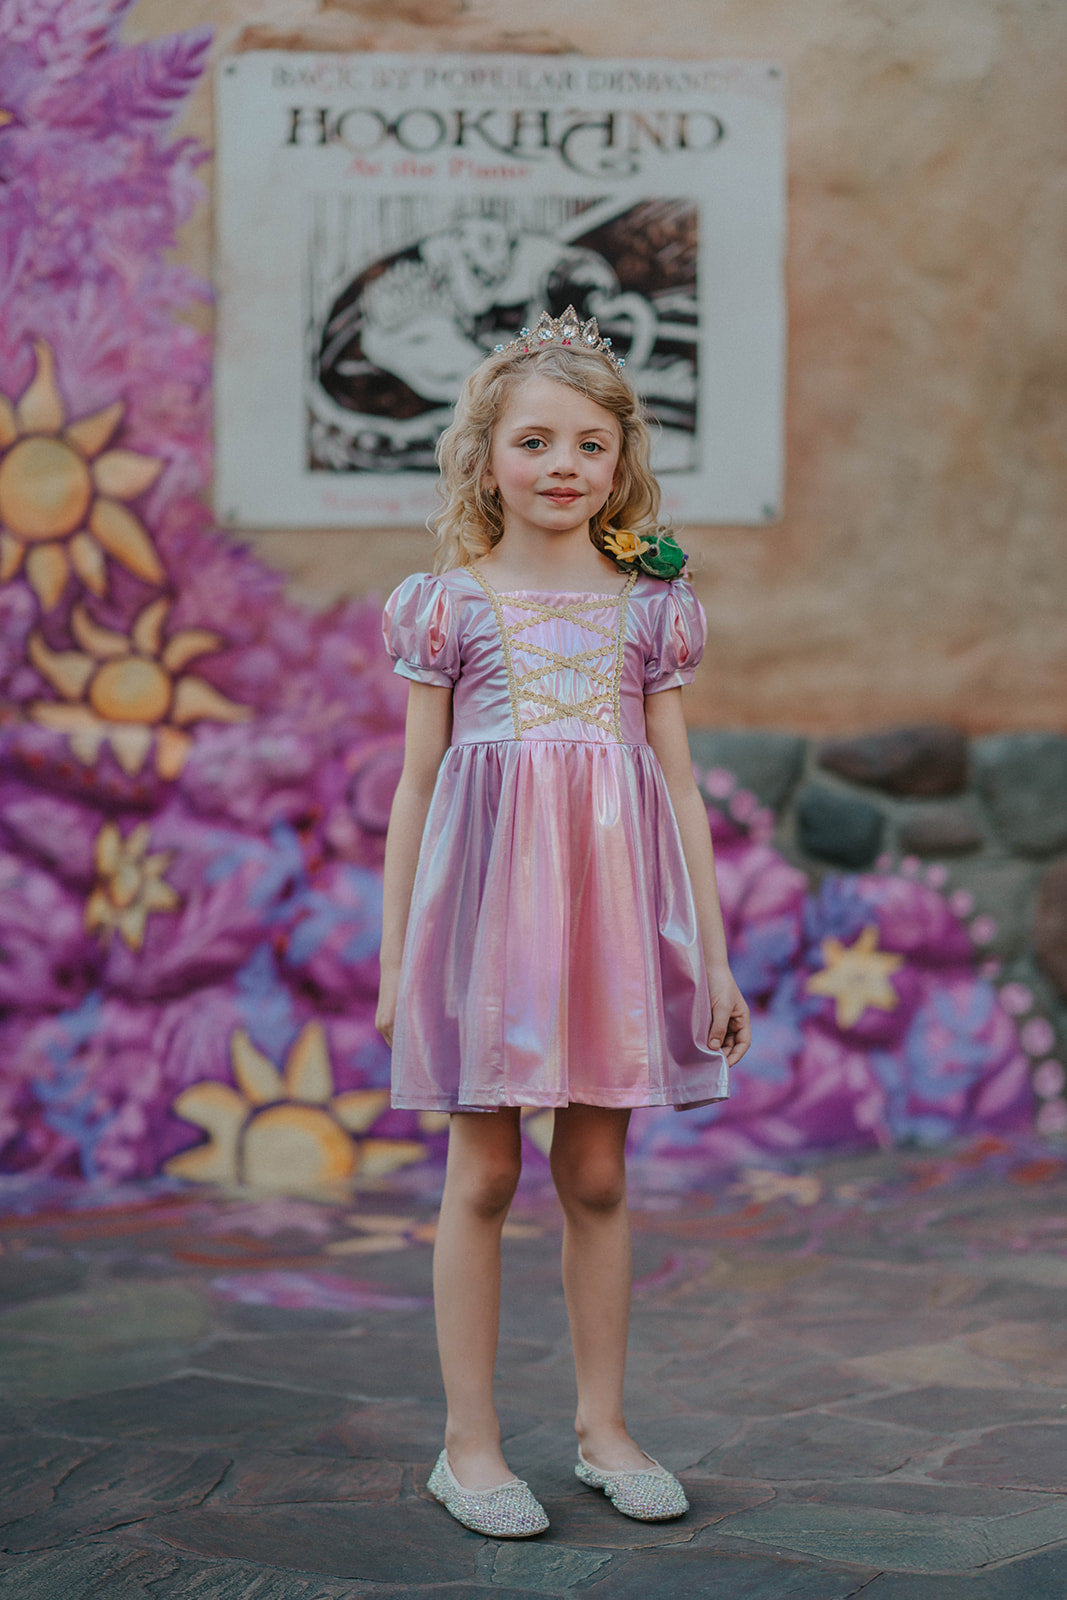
pixel 589 1175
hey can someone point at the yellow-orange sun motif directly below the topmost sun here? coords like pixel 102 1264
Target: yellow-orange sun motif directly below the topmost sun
pixel 130 690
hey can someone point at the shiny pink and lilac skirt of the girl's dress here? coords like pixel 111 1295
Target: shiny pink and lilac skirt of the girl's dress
pixel 553 948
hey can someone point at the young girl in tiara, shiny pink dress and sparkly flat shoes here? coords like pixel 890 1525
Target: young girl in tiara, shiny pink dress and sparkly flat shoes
pixel 553 932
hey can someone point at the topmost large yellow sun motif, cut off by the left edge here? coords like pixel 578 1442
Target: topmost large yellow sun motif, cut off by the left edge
pixel 62 494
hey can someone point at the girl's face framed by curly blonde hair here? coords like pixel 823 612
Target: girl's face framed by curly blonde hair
pixel 554 460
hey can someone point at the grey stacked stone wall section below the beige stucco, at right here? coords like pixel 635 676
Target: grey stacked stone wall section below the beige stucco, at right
pixel 981 820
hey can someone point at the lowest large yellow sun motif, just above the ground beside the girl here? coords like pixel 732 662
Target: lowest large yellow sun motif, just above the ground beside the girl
pixel 287 1132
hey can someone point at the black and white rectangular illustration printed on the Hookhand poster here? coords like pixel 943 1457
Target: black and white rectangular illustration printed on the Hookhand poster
pixel 394 338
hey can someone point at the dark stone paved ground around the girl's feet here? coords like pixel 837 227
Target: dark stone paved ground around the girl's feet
pixel 858 1370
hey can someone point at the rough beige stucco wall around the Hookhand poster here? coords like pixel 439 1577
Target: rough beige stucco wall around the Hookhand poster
pixel 919 572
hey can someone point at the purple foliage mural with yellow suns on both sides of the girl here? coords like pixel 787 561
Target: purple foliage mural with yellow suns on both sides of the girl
pixel 196 774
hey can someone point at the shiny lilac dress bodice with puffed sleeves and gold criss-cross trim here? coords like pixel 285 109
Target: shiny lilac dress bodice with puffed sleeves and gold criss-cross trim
pixel 535 666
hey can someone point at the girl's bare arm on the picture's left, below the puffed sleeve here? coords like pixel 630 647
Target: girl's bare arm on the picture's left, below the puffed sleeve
pixel 428 734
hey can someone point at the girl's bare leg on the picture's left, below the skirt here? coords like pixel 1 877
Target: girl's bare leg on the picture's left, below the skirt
pixel 484 1166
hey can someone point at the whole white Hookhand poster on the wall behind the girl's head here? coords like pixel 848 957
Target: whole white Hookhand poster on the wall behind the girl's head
pixel 386 222
